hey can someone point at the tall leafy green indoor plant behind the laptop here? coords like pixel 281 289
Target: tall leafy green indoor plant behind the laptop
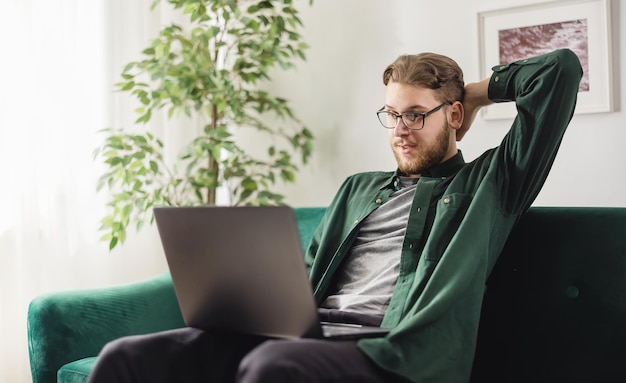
pixel 211 70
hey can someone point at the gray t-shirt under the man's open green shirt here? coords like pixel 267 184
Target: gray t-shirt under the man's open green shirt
pixel 369 275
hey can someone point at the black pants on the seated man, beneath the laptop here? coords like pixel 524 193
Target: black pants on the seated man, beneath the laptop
pixel 193 355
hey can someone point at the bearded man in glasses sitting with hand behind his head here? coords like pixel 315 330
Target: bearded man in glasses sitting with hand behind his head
pixel 409 250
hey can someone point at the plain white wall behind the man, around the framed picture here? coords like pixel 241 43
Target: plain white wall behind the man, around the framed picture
pixel 338 89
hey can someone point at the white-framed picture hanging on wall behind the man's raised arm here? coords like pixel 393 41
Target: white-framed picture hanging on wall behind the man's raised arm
pixel 581 25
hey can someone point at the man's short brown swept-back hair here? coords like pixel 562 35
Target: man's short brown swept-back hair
pixel 431 71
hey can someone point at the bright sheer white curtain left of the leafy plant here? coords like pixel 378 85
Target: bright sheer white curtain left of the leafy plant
pixel 59 61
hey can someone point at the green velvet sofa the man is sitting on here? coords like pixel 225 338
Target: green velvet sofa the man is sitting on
pixel 554 311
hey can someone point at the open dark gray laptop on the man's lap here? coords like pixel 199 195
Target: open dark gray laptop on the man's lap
pixel 242 269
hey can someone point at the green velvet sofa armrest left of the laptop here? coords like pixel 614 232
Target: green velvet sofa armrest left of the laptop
pixel 66 326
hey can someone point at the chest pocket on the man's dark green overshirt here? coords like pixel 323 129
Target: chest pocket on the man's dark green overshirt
pixel 449 214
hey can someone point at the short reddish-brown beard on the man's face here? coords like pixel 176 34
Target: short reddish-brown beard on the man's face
pixel 426 154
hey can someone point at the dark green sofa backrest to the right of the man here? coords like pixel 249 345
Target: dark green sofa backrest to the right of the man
pixel 555 307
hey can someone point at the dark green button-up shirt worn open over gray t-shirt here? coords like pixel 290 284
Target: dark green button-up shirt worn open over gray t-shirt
pixel 461 216
